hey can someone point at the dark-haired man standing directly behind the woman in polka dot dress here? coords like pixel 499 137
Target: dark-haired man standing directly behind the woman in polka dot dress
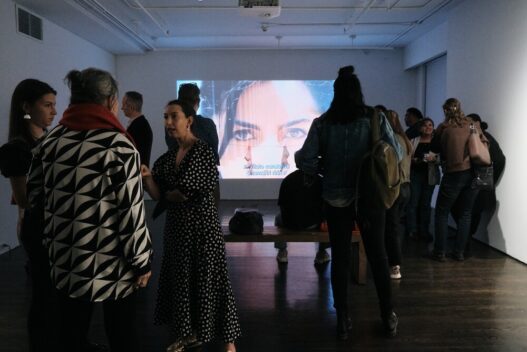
pixel 203 128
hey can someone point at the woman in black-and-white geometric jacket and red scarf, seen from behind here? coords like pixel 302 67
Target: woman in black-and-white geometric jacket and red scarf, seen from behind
pixel 86 172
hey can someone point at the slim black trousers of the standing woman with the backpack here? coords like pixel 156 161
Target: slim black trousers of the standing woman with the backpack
pixel 371 223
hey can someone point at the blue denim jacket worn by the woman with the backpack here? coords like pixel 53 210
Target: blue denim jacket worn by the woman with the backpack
pixel 336 150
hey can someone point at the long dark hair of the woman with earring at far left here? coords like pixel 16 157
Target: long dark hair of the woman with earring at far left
pixel 27 92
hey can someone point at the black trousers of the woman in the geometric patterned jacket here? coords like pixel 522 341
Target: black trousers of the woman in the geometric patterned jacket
pixel 119 322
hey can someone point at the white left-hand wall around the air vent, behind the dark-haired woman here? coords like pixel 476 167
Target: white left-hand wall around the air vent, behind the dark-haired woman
pixel 49 60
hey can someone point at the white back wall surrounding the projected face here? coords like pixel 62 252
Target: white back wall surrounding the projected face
pixel 154 74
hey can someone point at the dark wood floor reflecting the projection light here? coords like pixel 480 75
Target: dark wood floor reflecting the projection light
pixel 476 305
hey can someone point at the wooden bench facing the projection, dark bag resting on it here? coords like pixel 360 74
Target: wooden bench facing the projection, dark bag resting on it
pixel 279 234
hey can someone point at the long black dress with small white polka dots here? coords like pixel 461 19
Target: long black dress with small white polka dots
pixel 194 295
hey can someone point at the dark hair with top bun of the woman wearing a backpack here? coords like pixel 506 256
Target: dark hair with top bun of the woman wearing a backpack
pixel 348 101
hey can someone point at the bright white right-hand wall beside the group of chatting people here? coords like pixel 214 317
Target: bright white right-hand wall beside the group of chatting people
pixel 487 70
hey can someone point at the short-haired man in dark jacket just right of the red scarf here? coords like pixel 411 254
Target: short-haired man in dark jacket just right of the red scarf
pixel 138 127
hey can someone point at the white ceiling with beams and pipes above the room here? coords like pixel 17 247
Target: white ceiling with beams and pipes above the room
pixel 136 26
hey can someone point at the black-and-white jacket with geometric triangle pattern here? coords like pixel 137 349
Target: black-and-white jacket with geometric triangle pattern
pixel 90 185
